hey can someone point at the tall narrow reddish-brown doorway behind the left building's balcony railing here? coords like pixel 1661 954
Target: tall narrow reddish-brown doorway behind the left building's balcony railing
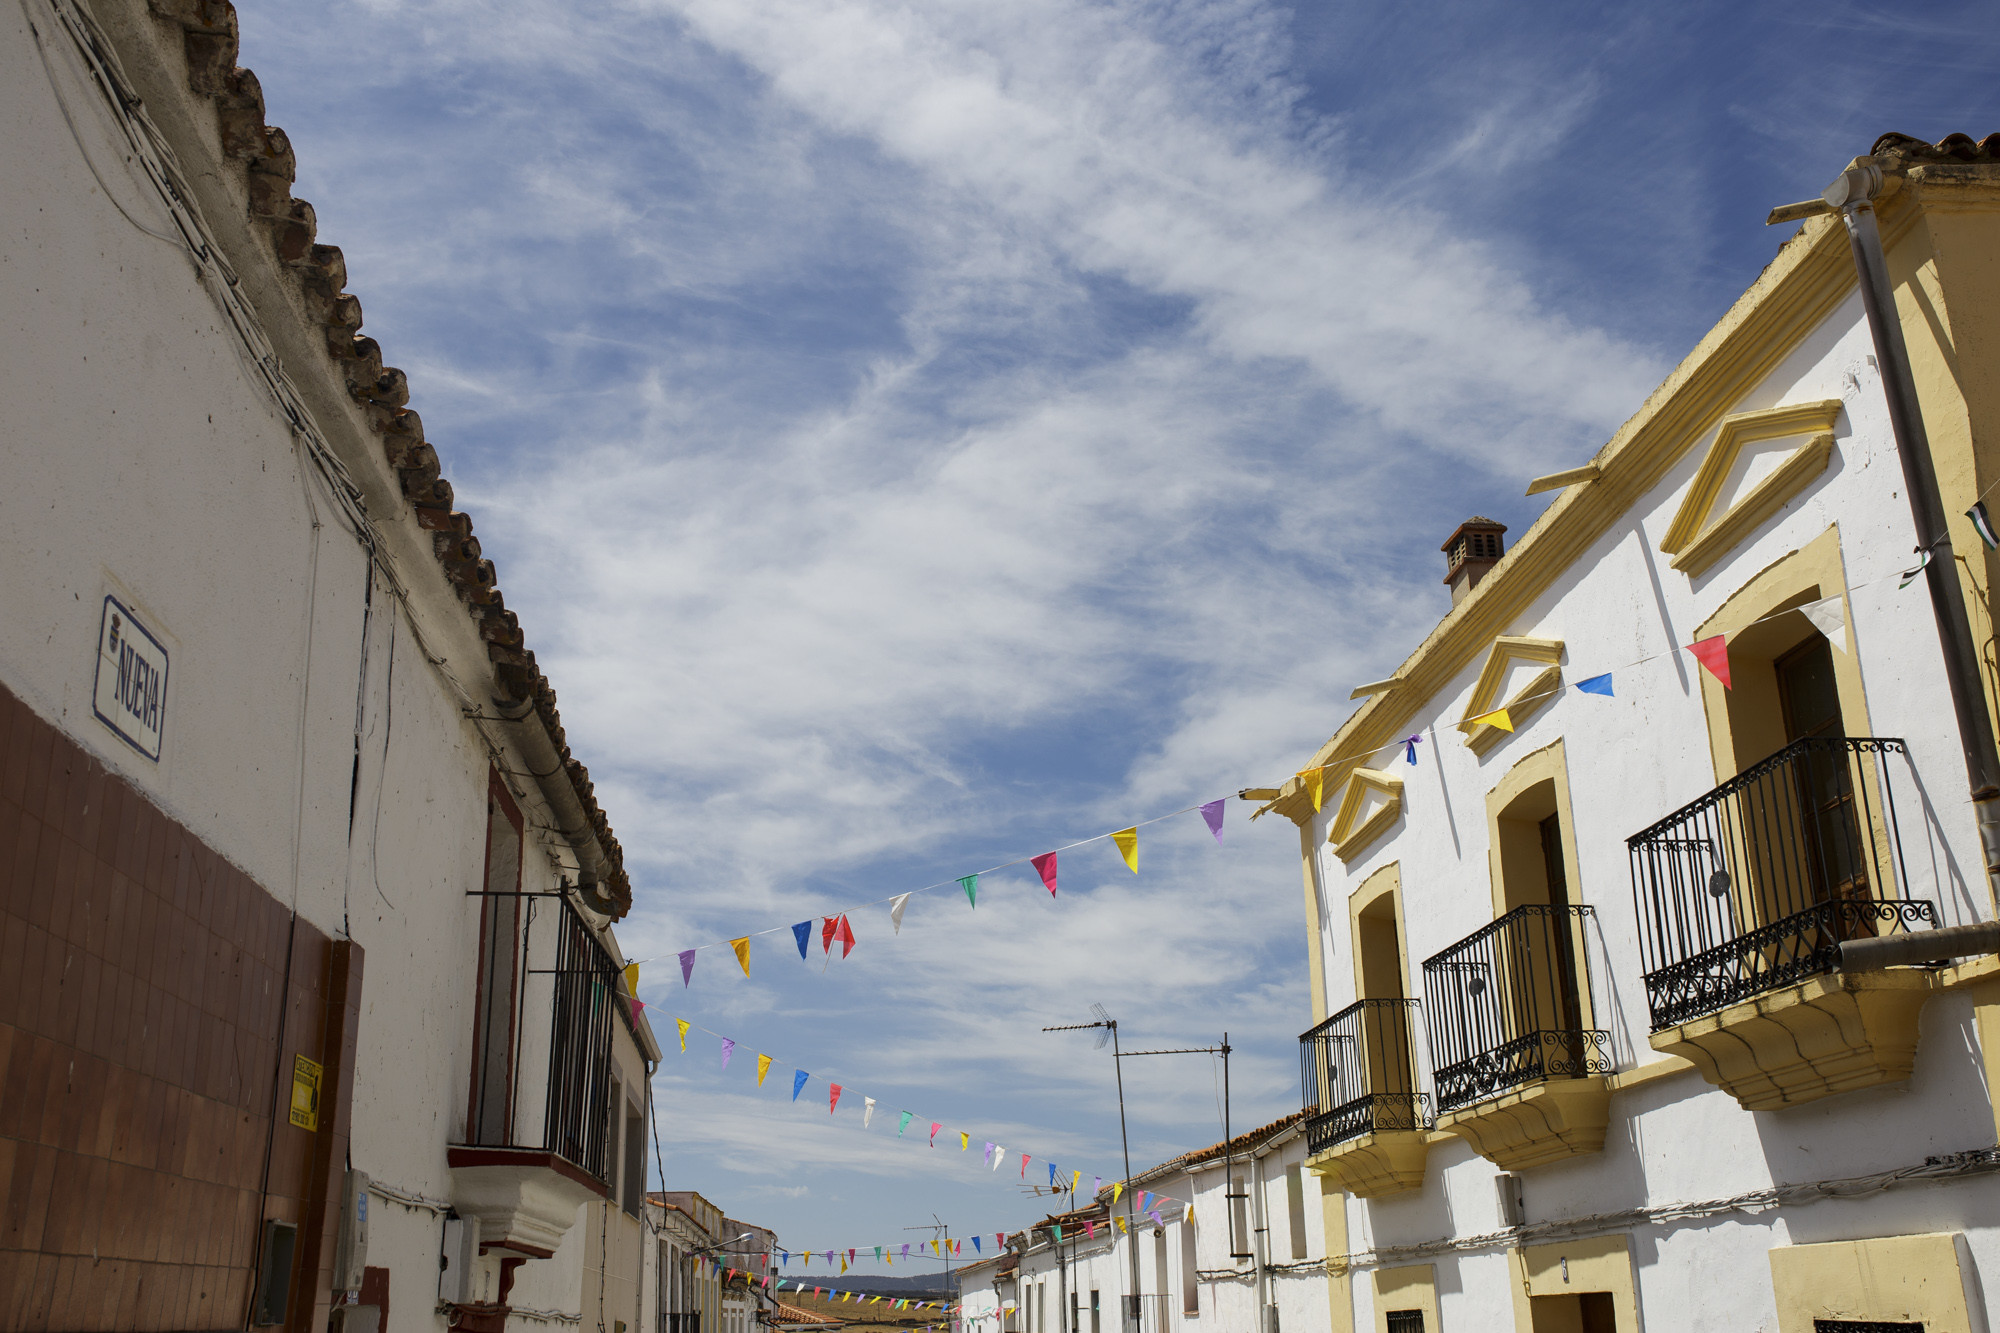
pixel 493 1026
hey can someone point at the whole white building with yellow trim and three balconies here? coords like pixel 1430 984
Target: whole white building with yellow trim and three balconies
pixel 1587 1056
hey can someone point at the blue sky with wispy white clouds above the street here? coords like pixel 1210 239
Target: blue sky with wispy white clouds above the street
pixel 917 437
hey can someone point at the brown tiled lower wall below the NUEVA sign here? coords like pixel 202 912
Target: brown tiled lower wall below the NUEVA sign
pixel 139 1040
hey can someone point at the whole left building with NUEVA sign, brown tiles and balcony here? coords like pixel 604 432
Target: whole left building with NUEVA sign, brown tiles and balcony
pixel 307 906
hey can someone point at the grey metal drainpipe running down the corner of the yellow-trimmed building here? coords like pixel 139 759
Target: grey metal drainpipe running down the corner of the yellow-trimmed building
pixel 1853 197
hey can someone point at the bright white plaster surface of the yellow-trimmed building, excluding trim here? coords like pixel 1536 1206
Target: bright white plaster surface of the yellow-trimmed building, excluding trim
pixel 1635 760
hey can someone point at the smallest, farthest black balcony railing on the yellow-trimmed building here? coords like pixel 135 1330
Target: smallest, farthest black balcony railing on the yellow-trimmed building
pixel 1359 1074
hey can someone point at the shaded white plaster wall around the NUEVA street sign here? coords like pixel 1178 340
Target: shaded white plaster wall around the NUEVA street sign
pixel 145 461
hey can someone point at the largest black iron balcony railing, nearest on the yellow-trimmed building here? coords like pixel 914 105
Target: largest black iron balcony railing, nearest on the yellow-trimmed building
pixel 1755 886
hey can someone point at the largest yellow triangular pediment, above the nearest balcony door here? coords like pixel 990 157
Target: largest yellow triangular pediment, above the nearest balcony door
pixel 1723 505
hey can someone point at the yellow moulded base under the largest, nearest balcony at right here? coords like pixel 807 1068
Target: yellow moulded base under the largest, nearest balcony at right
pixel 1807 1042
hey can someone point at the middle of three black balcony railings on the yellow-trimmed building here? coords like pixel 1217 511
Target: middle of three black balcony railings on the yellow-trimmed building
pixel 1505 1008
